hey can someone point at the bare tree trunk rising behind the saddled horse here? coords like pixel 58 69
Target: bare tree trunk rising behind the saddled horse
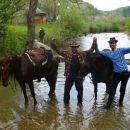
pixel 31 23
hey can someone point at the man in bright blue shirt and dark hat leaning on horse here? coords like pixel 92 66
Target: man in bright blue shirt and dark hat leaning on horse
pixel 120 68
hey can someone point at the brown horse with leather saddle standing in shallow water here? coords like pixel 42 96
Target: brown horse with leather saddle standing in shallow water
pixel 25 71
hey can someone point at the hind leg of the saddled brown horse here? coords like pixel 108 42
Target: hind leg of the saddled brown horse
pixel 52 83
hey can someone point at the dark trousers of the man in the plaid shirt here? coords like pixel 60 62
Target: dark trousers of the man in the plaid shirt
pixel 68 85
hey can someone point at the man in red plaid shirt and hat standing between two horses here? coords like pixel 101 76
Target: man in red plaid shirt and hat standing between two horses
pixel 73 59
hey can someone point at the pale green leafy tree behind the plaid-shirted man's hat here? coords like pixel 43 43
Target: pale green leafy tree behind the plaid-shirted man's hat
pixel 70 19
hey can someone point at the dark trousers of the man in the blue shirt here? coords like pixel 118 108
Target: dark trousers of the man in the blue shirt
pixel 118 77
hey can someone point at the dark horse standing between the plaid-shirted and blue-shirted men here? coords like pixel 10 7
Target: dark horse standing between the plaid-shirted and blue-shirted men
pixel 101 69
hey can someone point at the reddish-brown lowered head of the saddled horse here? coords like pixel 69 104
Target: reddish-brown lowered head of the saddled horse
pixel 5 70
